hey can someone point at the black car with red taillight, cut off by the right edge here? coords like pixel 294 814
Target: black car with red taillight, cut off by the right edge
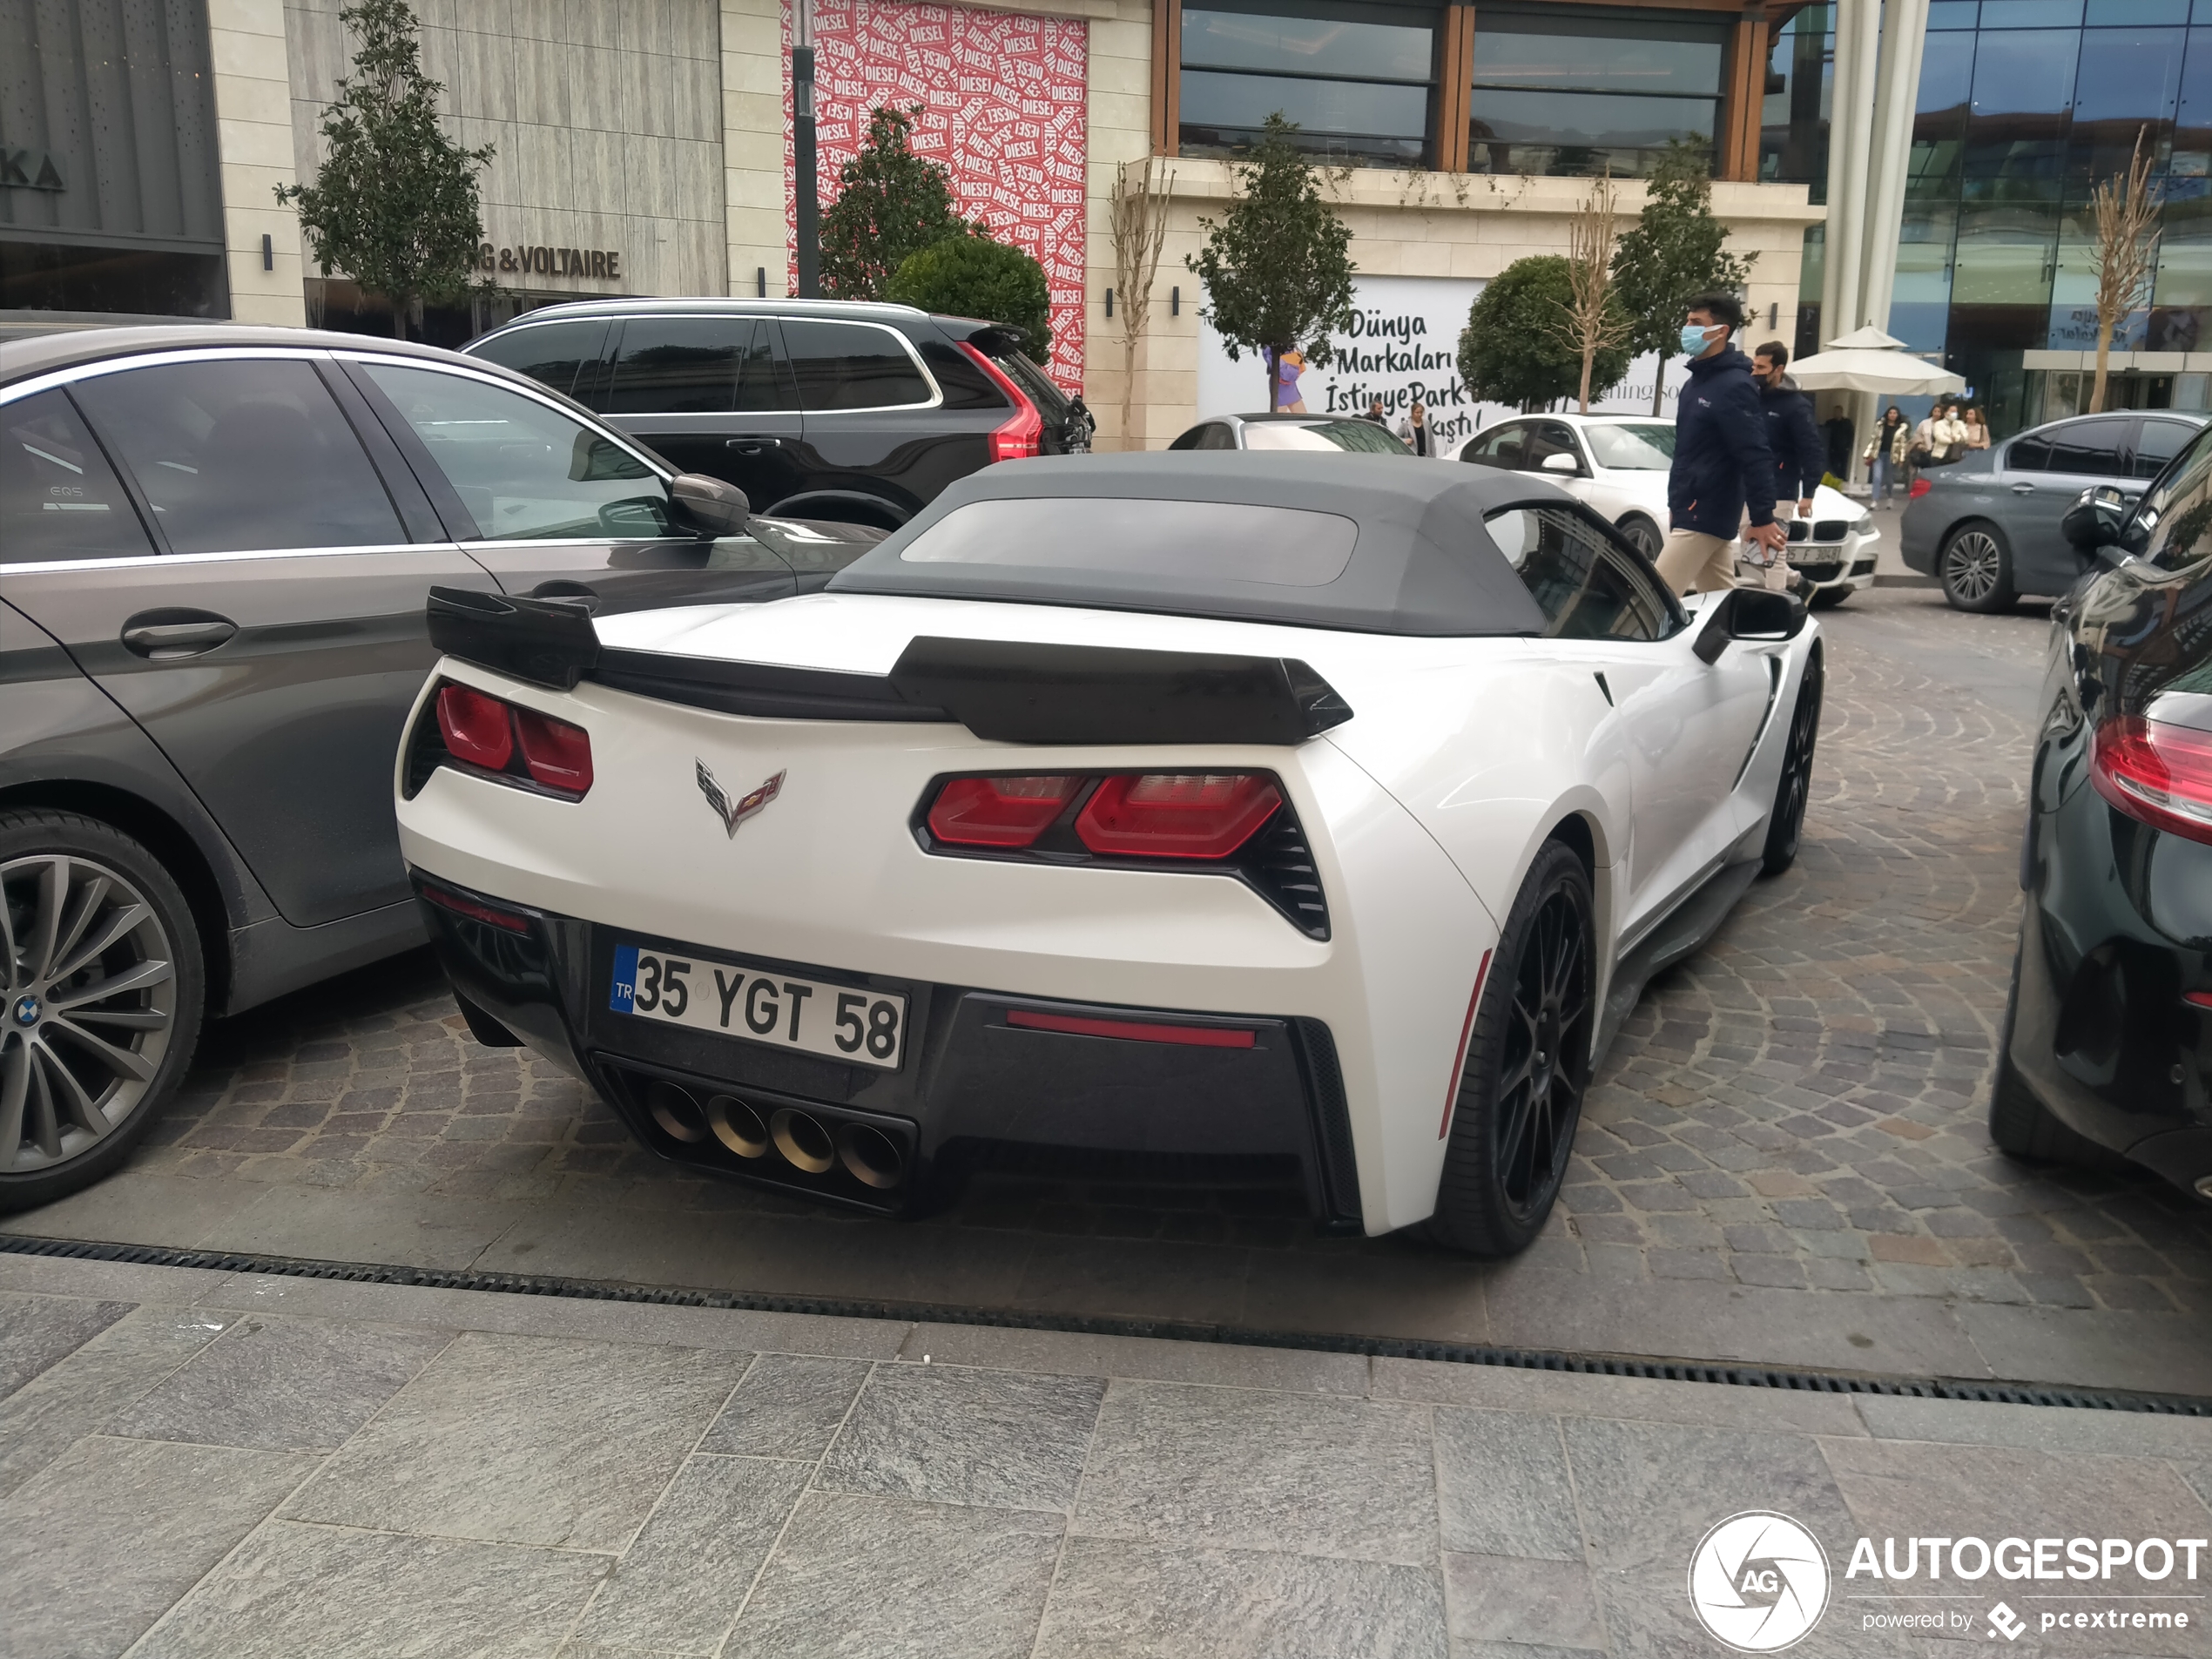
pixel 2107 1050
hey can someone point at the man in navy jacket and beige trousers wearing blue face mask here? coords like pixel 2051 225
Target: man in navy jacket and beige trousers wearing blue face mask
pixel 1724 470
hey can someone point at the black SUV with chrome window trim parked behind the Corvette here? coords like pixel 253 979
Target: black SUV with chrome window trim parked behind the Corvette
pixel 813 408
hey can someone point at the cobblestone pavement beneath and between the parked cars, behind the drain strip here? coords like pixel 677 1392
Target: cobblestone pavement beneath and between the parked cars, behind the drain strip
pixel 1797 1109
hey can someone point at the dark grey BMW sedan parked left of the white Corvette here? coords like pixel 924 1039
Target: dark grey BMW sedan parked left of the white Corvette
pixel 216 554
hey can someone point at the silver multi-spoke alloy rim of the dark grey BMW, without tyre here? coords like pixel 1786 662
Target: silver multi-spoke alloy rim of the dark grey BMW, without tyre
pixel 92 1008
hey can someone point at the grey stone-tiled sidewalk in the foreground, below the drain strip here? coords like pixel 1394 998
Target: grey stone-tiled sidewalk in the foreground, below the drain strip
pixel 205 1465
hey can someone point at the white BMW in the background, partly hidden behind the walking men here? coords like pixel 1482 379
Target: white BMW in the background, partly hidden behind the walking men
pixel 1620 466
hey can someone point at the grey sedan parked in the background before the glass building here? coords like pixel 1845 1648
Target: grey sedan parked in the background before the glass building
pixel 1990 525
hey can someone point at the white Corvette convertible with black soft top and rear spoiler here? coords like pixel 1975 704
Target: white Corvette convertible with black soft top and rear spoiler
pixel 1258 817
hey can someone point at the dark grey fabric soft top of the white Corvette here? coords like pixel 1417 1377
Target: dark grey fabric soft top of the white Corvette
pixel 1359 543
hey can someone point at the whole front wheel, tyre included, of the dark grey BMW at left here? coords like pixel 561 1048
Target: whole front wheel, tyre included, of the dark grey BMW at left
pixel 87 1070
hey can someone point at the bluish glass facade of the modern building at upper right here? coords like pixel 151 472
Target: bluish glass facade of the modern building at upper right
pixel 2025 105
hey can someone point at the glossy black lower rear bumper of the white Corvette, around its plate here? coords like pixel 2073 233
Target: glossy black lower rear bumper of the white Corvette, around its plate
pixel 972 1089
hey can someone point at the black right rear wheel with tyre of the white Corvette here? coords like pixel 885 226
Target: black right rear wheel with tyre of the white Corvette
pixel 1527 1065
